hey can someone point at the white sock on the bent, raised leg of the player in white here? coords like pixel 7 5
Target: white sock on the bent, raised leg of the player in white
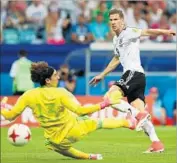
pixel 124 106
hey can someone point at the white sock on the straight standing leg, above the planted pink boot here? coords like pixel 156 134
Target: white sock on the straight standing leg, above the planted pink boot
pixel 149 129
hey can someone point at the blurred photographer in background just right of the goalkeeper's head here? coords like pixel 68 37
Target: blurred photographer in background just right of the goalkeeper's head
pixel 67 79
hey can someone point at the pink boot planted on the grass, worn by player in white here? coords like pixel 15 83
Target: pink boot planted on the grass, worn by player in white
pixel 156 147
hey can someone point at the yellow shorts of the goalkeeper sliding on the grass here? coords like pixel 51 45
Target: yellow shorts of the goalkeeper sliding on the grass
pixel 82 128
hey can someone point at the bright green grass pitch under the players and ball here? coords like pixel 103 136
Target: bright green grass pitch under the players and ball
pixel 116 146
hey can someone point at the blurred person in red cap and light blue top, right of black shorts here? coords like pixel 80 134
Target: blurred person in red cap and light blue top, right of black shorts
pixel 158 112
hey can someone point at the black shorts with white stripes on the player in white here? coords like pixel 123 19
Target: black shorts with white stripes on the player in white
pixel 133 85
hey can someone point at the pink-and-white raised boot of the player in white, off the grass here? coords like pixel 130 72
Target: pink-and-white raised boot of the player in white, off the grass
pixel 142 117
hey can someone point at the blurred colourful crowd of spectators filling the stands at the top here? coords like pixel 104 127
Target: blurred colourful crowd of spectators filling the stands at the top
pixel 80 21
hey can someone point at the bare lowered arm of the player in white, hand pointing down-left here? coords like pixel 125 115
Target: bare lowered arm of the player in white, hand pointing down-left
pixel 111 66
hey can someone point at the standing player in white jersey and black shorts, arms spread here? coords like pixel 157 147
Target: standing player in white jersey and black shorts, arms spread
pixel 132 83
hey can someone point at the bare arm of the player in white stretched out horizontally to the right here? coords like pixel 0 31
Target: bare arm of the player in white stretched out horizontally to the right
pixel 156 32
